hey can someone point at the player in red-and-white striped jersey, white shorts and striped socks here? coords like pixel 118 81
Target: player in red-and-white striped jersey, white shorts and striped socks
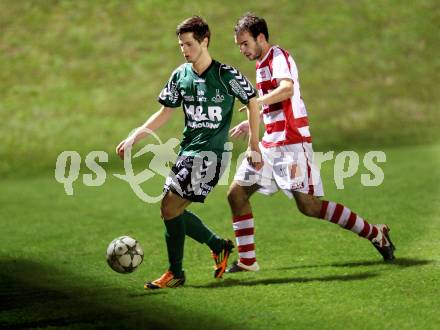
pixel 287 151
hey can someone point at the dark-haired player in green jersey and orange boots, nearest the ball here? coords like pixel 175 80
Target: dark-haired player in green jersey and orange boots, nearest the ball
pixel 206 89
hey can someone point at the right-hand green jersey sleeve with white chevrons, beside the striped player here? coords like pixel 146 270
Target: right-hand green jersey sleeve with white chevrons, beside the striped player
pixel 237 84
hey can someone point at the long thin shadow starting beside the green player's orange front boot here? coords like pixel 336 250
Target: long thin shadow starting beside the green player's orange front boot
pixel 286 280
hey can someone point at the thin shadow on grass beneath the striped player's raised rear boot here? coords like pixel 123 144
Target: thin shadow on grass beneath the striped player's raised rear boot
pixel 400 262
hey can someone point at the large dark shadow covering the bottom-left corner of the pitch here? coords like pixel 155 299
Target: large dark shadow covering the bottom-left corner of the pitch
pixel 33 295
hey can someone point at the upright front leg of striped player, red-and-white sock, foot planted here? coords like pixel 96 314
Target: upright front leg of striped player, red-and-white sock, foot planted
pixel 243 224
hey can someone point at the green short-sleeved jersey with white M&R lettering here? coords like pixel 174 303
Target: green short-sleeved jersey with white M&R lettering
pixel 208 101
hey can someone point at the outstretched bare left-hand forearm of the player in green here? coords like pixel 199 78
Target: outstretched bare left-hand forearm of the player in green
pixel 153 123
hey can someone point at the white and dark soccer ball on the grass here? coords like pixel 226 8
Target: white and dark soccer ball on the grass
pixel 124 254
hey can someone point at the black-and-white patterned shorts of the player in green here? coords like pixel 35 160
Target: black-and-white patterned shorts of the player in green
pixel 193 177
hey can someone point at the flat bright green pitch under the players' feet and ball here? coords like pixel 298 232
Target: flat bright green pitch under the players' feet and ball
pixel 314 274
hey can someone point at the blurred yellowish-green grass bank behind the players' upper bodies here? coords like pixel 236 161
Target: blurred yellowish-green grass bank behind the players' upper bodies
pixel 79 75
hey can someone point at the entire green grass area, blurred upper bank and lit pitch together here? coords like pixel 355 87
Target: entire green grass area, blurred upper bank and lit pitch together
pixel 79 75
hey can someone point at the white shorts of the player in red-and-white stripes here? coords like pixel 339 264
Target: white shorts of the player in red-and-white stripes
pixel 288 168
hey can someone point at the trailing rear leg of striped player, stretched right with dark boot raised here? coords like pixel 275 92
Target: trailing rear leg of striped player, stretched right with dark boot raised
pixel 339 214
